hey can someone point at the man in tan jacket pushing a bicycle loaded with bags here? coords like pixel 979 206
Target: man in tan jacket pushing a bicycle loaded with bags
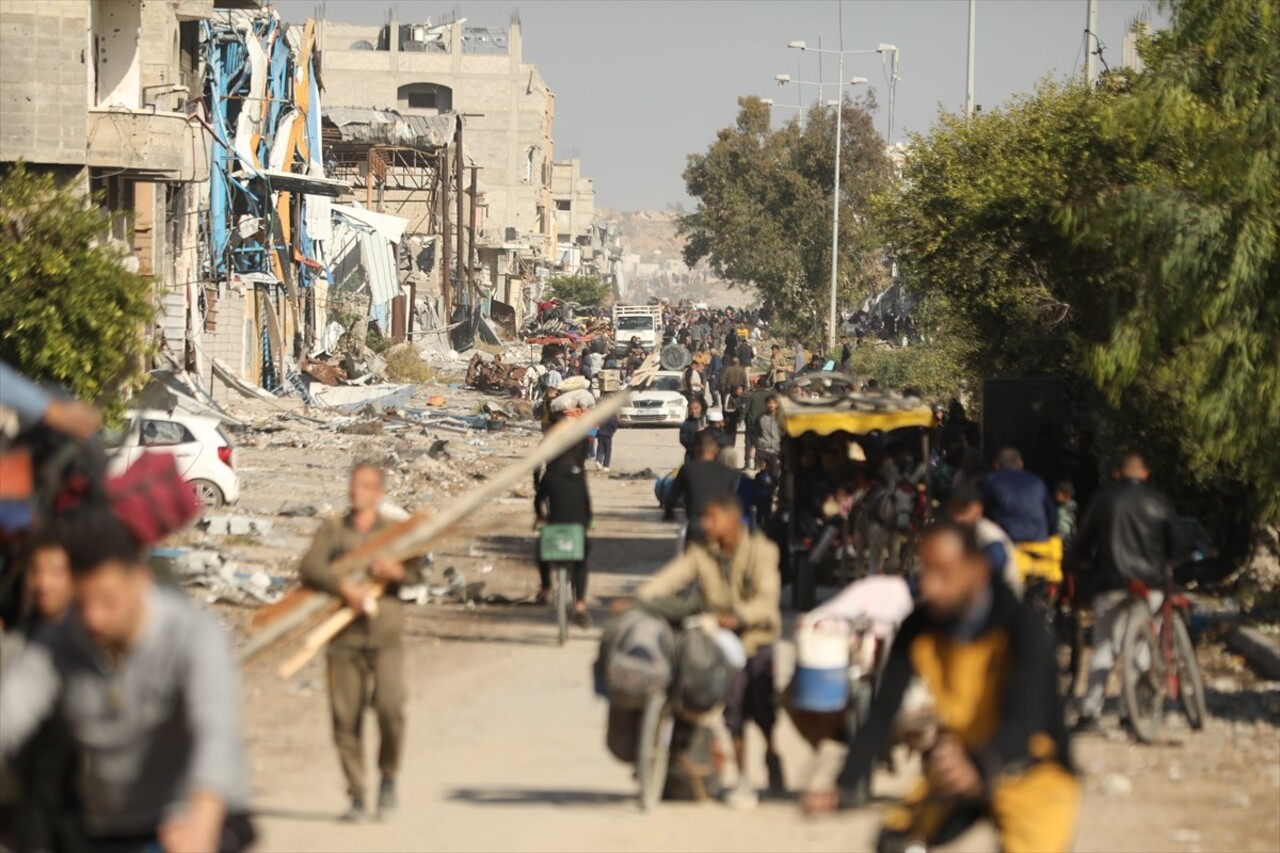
pixel 737 574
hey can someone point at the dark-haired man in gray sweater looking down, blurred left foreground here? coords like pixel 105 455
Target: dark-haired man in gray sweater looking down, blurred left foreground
pixel 150 692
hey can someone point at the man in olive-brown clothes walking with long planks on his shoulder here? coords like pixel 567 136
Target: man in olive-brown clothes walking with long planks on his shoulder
pixel 367 660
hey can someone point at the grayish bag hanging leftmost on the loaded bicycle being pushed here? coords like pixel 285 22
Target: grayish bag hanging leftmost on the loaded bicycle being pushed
pixel 636 659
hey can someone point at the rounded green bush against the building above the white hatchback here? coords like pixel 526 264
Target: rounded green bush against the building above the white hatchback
pixel 70 313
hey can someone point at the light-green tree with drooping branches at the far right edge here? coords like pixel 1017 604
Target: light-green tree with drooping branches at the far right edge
pixel 1194 323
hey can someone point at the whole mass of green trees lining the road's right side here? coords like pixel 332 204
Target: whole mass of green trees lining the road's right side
pixel 1127 239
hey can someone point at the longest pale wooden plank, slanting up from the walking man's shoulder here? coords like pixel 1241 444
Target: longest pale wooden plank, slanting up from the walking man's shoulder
pixel 412 537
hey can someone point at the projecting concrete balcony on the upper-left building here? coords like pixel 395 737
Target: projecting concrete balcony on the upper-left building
pixel 157 145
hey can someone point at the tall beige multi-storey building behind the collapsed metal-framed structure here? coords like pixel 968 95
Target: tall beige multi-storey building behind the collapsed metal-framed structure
pixel 479 74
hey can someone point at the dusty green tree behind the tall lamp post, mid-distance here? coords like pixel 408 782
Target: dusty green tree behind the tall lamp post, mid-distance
pixel 765 209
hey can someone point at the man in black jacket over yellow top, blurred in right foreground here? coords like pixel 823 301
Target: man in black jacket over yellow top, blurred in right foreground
pixel 1002 749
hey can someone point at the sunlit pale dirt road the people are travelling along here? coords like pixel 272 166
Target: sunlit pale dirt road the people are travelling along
pixel 506 746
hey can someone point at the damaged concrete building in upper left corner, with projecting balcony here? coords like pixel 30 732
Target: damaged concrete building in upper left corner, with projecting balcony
pixel 104 95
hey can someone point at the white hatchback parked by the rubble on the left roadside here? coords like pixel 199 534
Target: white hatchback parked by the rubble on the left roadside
pixel 204 451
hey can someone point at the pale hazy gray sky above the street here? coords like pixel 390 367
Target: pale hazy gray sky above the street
pixel 642 84
